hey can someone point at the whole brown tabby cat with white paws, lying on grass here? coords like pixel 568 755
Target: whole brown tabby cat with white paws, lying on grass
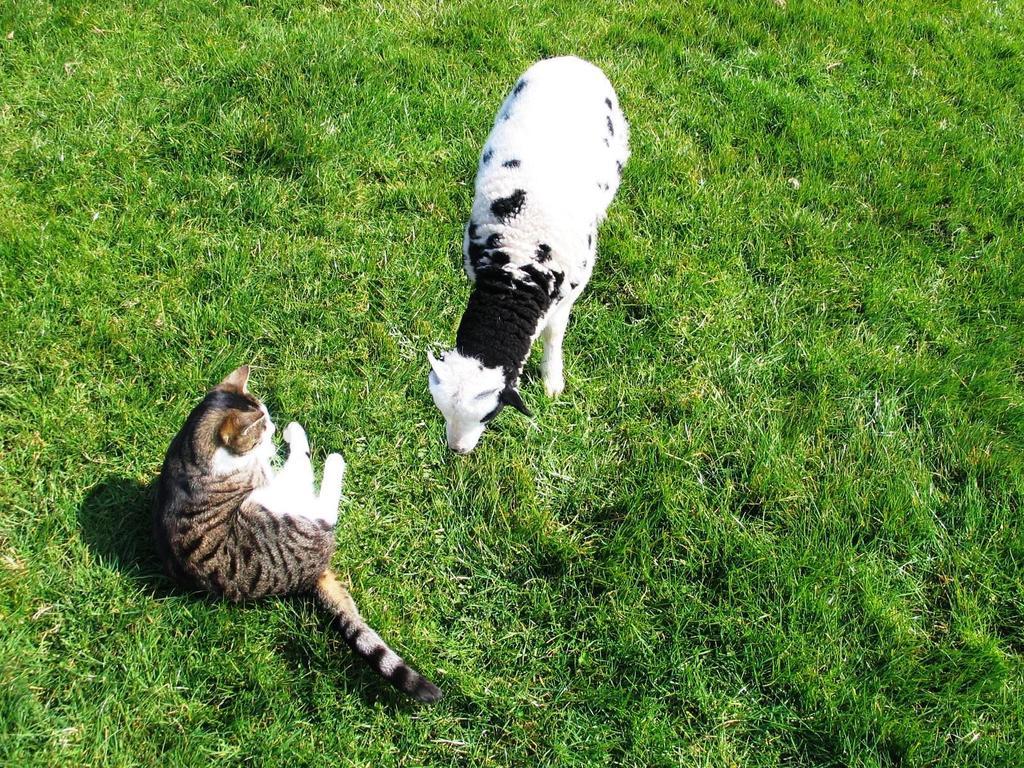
pixel 228 523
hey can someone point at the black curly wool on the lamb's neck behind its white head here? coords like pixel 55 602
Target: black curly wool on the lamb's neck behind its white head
pixel 499 323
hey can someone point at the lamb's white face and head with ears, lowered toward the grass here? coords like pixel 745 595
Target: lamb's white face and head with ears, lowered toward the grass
pixel 470 395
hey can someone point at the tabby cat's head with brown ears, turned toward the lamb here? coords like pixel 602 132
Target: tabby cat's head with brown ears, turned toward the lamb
pixel 231 428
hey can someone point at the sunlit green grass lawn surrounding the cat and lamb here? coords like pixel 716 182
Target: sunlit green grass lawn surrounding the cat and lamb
pixel 775 520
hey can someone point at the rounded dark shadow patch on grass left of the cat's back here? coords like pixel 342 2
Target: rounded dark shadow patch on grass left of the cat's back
pixel 116 524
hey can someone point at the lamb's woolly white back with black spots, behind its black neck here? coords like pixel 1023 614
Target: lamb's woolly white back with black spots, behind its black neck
pixel 552 163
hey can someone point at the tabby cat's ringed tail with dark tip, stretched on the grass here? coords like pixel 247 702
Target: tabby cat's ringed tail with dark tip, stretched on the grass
pixel 368 644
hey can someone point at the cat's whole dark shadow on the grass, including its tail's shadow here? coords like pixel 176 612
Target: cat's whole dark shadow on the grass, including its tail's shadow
pixel 116 524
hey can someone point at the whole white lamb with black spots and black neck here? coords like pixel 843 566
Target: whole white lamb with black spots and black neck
pixel 546 177
